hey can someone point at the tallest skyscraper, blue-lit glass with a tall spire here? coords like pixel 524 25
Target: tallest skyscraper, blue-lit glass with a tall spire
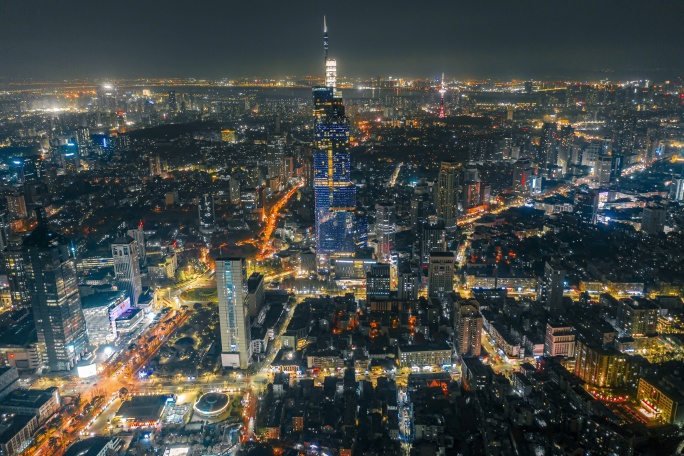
pixel 334 192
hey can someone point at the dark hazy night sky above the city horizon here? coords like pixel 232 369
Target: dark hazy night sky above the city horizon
pixel 52 39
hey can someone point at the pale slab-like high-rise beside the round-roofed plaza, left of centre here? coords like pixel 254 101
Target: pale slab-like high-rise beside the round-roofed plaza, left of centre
pixel 231 284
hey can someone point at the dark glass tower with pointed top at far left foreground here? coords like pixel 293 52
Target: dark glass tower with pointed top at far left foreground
pixel 53 286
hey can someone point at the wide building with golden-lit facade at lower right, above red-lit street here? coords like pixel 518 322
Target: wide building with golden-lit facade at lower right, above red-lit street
pixel 601 367
